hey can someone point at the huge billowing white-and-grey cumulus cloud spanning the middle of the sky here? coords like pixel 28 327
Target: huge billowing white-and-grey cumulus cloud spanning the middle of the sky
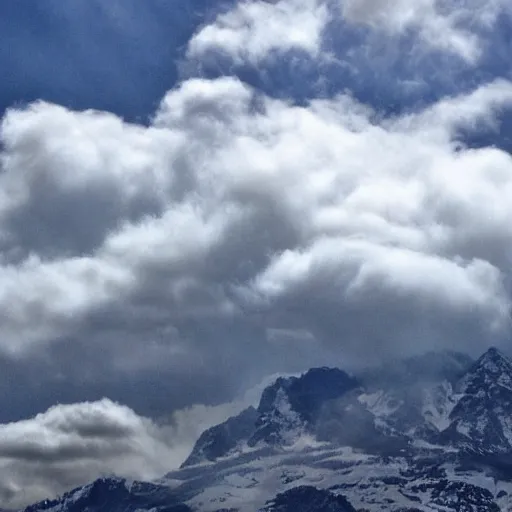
pixel 256 209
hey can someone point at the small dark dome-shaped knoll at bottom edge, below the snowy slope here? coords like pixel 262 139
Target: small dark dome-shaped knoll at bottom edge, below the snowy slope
pixel 308 499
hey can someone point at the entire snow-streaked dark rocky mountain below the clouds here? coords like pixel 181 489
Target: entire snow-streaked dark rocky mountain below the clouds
pixel 429 433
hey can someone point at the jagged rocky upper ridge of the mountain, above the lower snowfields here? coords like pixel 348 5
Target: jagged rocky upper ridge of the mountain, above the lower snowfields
pixel 450 403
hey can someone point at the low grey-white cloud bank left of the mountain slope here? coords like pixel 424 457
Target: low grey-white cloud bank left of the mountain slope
pixel 69 445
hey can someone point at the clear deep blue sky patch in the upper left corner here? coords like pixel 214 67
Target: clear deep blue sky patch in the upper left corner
pixel 118 56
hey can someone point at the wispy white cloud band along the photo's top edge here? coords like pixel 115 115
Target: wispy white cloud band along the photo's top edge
pixel 255 30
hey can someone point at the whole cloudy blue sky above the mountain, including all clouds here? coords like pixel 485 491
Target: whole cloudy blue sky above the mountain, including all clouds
pixel 195 197
